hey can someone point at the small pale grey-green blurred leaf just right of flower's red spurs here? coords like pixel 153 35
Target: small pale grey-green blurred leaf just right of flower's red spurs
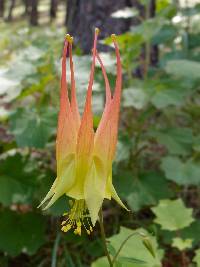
pixel 134 97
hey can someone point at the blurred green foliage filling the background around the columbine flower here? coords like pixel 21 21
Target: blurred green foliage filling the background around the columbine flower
pixel 157 166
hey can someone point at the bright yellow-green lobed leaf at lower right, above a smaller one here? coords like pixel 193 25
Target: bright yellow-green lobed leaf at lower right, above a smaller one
pixel 172 215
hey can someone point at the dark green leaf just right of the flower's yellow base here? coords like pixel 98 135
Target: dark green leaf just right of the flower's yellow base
pixel 147 190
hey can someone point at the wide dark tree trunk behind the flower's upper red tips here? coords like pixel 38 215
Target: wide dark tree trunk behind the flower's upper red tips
pixel 83 16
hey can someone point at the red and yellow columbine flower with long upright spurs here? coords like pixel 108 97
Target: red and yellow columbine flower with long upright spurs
pixel 84 157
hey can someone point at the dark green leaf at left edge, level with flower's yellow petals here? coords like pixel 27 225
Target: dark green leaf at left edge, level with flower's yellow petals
pixel 17 179
